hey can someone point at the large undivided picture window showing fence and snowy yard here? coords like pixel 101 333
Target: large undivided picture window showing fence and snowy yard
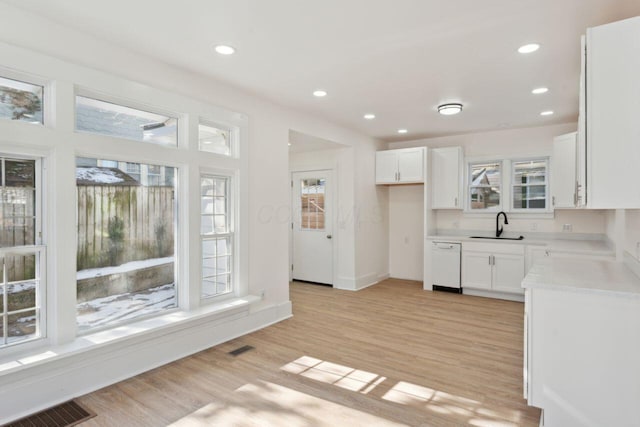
pixel 126 251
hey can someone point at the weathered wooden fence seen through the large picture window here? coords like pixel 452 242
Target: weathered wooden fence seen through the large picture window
pixel 118 224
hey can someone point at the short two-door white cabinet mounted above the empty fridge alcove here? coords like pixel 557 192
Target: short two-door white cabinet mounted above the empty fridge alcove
pixel 403 166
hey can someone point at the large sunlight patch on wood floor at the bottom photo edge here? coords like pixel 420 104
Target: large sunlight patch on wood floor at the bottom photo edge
pixel 267 404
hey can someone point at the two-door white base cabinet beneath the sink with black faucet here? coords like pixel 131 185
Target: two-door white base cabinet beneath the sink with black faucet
pixel 493 267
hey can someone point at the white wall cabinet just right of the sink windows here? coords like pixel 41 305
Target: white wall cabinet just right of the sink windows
pixel 563 171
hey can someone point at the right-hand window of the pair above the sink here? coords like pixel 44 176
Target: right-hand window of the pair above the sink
pixel 529 185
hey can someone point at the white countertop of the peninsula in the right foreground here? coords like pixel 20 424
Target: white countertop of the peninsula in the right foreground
pixel 606 277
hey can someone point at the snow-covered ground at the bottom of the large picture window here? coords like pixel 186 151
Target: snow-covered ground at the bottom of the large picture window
pixel 118 308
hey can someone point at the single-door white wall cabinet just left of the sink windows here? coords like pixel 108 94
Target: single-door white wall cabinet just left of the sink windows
pixel 446 178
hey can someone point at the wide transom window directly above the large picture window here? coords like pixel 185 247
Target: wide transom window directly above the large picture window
pixel 105 118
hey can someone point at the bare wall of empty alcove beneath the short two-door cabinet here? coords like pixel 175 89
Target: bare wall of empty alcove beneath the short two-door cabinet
pixel 406 231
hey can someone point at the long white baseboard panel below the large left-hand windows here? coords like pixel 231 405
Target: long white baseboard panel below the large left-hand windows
pixel 44 385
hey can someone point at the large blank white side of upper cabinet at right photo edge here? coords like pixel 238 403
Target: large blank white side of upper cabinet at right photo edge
pixel 612 115
